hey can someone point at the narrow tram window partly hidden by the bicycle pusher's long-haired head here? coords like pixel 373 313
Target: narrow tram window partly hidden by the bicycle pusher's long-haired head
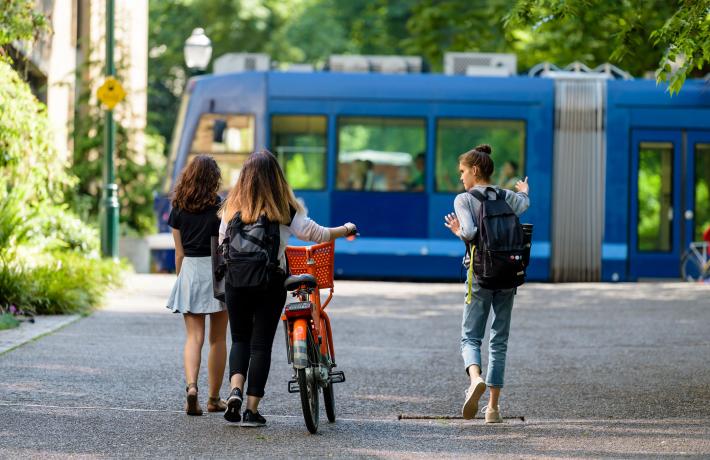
pixel 299 142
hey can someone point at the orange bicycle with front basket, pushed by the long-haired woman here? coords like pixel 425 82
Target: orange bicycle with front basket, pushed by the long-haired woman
pixel 309 338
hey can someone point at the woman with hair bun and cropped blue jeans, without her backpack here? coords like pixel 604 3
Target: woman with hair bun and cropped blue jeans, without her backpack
pixel 476 168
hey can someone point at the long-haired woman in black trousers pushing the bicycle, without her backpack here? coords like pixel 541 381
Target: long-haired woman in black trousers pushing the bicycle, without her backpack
pixel 262 190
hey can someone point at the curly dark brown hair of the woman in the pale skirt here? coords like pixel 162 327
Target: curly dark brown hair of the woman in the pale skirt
pixel 198 185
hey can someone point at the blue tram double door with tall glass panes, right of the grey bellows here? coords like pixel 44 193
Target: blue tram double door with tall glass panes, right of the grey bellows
pixel 670 176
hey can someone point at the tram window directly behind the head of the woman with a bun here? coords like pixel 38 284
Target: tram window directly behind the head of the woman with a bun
pixel 456 136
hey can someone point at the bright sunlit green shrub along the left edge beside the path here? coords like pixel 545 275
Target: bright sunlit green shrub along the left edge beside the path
pixel 48 257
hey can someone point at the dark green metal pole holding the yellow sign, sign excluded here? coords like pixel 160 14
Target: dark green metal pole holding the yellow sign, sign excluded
pixel 109 223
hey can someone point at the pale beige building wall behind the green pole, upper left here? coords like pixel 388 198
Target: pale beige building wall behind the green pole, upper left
pixel 77 36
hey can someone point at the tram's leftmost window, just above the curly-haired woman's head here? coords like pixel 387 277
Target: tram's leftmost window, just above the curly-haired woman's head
pixel 228 138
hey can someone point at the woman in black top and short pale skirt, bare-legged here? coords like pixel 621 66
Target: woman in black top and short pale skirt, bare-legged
pixel 194 221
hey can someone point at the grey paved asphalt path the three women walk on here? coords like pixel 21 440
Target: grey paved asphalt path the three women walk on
pixel 600 370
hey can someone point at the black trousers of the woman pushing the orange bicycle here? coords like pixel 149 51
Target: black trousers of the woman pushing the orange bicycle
pixel 253 318
